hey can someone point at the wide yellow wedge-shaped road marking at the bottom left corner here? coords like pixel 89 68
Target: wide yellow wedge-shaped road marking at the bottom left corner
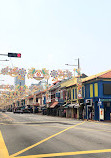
pixel 3 149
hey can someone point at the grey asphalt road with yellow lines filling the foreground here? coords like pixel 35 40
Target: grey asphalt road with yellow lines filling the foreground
pixel 33 136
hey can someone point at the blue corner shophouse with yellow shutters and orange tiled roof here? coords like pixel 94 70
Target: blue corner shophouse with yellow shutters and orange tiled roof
pixel 97 97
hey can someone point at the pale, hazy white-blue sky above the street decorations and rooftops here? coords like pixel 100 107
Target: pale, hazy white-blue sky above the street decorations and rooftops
pixel 51 33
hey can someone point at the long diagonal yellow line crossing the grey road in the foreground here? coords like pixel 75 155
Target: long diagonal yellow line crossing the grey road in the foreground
pixel 44 140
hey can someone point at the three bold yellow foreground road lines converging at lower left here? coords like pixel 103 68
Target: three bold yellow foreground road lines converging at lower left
pixel 4 152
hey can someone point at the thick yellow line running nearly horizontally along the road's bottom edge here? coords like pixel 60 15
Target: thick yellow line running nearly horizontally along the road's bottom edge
pixel 67 153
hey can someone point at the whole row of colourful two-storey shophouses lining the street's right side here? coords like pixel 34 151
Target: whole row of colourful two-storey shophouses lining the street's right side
pixel 61 98
